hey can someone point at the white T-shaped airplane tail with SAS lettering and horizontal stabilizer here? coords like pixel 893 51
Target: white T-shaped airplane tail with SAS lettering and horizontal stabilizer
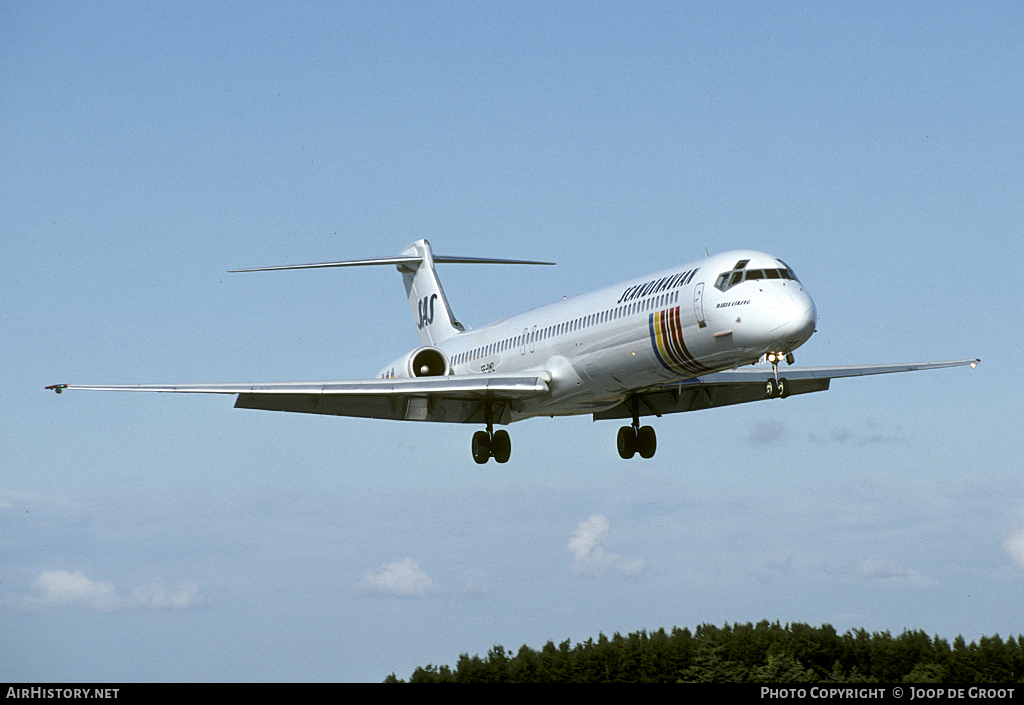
pixel 426 298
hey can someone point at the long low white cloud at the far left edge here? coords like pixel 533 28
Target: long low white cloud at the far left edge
pixel 69 589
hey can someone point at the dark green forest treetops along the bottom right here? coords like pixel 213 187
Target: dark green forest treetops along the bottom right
pixel 745 653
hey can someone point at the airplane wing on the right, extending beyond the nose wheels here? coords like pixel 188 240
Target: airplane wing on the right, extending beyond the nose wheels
pixel 740 387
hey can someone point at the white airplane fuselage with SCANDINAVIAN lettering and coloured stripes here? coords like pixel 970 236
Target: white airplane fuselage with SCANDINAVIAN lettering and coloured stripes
pixel 718 313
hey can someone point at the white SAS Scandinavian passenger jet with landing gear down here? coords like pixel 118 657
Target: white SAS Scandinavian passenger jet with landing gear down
pixel 677 341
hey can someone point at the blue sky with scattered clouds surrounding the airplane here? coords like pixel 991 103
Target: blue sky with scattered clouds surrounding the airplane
pixel 148 149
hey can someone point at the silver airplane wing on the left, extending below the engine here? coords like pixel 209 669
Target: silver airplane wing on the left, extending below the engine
pixel 455 399
